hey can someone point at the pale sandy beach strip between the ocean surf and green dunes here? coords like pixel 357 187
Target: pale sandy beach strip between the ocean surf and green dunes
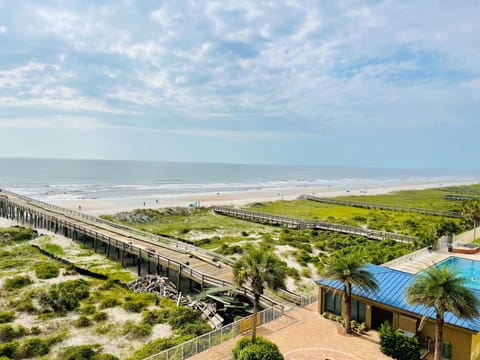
pixel 110 206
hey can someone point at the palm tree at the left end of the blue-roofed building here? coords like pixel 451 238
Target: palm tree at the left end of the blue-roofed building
pixel 348 270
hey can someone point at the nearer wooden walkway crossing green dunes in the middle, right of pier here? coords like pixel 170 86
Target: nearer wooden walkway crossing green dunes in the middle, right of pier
pixel 306 224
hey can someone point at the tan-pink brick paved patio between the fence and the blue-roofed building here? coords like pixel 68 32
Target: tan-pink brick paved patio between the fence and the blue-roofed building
pixel 303 334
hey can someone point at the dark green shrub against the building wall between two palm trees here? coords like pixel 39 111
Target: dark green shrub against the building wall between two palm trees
pixel 397 345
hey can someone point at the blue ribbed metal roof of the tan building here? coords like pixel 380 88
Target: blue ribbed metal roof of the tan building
pixel 392 288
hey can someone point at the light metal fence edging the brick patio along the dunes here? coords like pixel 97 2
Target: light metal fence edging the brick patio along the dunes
pixel 217 337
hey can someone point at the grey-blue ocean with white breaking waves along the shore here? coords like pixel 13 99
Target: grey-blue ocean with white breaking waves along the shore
pixel 54 179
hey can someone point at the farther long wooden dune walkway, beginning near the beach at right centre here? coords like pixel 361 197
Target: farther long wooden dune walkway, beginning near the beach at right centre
pixel 365 205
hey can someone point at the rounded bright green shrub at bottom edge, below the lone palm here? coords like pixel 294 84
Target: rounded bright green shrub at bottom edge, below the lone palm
pixel 263 349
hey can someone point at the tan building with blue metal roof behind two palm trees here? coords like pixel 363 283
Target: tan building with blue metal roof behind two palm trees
pixel 388 303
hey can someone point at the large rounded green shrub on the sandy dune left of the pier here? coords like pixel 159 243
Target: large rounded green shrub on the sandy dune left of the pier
pixel 65 296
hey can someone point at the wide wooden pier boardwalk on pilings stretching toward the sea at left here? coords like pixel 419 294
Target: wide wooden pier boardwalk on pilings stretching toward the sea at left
pixel 151 254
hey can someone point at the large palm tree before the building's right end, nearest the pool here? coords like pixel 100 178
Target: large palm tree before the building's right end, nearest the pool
pixel 443 290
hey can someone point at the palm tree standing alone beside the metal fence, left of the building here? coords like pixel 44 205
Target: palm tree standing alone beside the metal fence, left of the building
pixel 259 269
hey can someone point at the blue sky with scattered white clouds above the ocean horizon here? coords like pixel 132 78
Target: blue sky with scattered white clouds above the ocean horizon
pixel 335 83
